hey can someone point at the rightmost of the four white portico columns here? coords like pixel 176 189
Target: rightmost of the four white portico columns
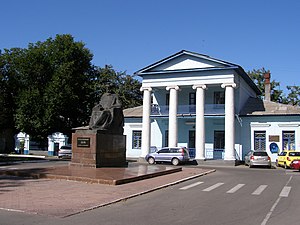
pixel 229 121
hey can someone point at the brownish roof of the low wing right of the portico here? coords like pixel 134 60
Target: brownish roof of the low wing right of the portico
pixel 259 107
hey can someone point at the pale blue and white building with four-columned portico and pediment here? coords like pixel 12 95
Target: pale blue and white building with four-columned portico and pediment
pixel 210 106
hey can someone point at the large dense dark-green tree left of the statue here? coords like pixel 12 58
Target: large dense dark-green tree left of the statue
pixel 53 78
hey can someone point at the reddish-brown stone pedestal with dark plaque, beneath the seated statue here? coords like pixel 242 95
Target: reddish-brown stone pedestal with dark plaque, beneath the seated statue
pixel 93 148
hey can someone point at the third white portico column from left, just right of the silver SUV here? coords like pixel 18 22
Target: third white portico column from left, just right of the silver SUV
pixel 200 122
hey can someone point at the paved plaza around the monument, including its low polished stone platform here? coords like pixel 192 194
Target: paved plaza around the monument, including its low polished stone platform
pixel 62 196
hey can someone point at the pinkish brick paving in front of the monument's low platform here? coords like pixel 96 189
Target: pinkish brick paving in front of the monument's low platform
pixel 62 198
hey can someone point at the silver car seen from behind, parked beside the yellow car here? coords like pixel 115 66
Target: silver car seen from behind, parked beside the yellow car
pixel 258 158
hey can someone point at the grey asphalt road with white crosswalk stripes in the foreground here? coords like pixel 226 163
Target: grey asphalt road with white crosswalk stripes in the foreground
pixel 232 196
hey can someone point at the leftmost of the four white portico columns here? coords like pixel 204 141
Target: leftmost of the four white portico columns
pixel 146 130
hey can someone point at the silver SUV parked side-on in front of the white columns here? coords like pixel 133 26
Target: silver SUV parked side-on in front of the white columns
pixel 174 155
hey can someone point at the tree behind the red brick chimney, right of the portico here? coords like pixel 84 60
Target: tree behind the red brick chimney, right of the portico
pixel 257 75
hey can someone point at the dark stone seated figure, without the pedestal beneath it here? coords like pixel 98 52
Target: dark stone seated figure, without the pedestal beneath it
pixel 107 116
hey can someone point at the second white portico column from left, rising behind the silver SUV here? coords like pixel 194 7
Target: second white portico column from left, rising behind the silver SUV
pixel 173 134
